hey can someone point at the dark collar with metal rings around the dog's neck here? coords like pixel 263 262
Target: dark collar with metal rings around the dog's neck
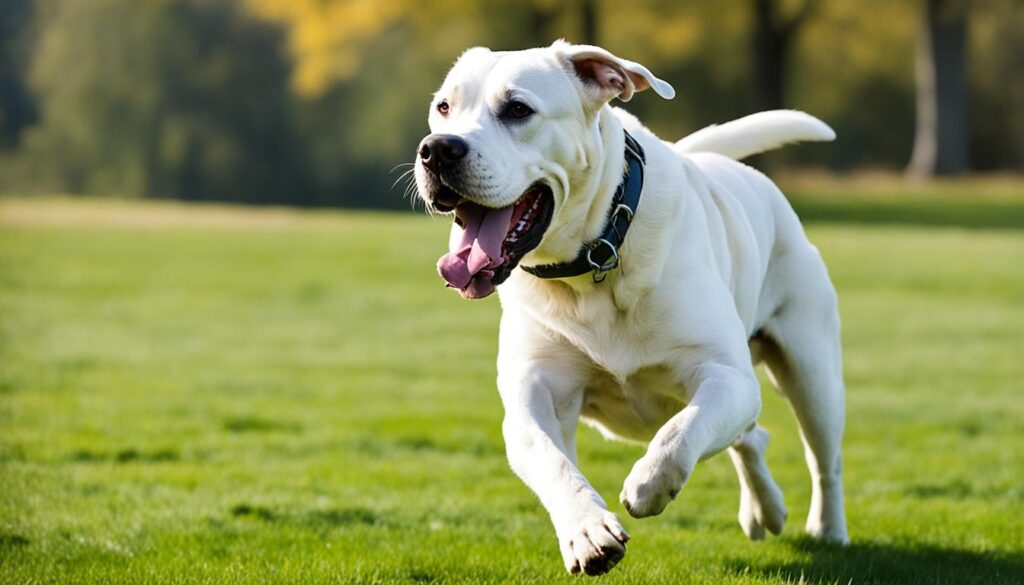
pixel 602 257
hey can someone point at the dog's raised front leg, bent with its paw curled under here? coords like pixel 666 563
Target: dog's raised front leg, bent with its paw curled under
pixel 726 405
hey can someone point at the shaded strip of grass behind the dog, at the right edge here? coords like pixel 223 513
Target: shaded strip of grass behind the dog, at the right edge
pixel 925 213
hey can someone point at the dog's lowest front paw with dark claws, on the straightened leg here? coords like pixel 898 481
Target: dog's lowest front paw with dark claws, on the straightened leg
pixel 595 545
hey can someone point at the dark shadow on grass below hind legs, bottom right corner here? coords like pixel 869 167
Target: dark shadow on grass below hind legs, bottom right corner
pixel 872 563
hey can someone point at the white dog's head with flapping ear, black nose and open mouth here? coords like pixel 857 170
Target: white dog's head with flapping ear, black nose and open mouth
pixel 511 135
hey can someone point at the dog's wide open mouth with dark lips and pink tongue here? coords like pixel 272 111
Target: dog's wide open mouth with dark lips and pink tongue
pixel 494 241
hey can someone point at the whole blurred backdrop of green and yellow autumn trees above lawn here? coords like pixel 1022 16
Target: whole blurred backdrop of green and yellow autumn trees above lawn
pixel 313 103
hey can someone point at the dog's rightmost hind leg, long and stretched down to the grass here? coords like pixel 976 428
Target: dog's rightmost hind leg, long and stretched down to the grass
pixel 804 361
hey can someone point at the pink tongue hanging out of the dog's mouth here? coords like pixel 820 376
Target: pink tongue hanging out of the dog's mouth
pixel 471 264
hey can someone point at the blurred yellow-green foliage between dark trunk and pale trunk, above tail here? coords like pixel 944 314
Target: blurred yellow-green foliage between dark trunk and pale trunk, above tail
pixel 857 64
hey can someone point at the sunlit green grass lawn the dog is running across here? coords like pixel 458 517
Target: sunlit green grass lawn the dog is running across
pixel 295 398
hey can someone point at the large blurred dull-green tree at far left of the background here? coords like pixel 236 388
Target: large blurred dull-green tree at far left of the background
pixel 174 99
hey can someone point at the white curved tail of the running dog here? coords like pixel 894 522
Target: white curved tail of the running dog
pixel 756 134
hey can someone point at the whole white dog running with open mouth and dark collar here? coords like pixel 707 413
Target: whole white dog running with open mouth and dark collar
pixel 654 278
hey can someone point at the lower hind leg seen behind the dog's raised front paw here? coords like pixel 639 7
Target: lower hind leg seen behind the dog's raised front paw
pixel 761 504
